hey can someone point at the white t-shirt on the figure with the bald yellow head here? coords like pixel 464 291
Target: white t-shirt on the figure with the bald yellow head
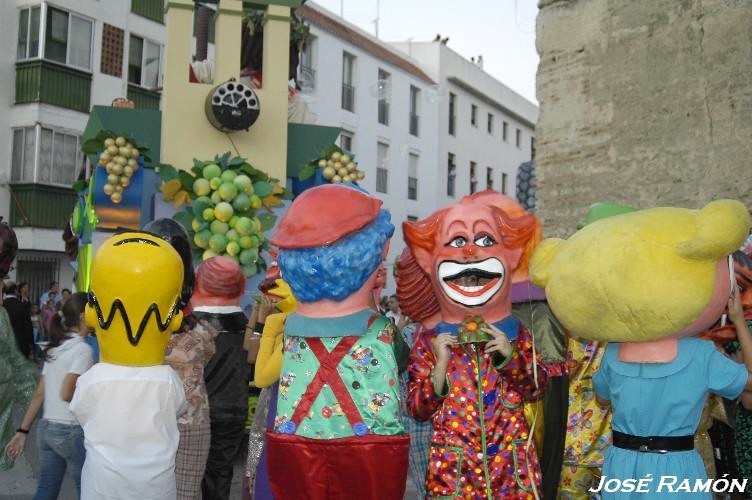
pixel 129 416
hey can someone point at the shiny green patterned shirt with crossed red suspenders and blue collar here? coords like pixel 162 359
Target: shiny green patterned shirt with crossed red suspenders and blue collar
pixel 368 370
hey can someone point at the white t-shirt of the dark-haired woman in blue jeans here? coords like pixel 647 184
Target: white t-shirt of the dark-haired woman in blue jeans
pixel 72 356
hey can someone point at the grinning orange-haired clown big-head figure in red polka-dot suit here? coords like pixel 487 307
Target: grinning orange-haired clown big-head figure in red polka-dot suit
pixel 457 277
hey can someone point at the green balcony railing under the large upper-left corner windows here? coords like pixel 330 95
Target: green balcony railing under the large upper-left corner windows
pixel 52 83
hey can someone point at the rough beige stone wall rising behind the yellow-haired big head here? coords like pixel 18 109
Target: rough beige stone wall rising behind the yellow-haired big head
pixel 644 103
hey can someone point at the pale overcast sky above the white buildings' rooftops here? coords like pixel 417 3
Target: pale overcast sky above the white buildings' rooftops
pixel 502 30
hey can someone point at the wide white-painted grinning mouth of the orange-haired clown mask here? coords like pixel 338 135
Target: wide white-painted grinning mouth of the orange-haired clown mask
pixel 473 283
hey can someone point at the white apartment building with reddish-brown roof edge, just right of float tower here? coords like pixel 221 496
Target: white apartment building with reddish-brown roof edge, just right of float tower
pixel 385 104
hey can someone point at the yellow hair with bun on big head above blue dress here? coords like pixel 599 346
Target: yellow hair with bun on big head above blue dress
pixel 645 275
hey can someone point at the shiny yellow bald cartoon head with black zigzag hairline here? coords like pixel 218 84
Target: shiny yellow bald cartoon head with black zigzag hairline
pixel 136 281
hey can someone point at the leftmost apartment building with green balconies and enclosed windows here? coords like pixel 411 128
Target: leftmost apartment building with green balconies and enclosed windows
pixel 61 57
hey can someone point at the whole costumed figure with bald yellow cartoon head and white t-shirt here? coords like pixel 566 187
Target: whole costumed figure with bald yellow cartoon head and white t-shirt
pixel 128 404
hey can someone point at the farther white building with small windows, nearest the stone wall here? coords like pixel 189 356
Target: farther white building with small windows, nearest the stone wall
pixel 485 129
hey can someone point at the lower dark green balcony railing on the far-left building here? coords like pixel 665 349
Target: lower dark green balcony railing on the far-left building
pixel 37 205
